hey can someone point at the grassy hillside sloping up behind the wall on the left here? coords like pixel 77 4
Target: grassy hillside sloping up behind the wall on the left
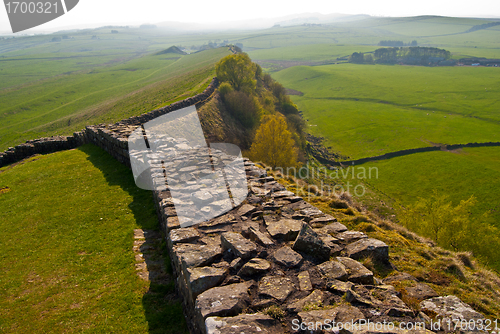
pixel 65 103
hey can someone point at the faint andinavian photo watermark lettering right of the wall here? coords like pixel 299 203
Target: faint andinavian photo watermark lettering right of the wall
pixel 335 181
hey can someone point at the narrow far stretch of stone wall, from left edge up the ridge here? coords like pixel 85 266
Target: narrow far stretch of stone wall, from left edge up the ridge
pixel 110 137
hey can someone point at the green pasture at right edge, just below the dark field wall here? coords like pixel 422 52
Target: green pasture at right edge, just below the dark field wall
pixel 460 174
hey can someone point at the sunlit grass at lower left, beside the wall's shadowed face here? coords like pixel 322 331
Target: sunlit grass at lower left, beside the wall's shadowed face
pixel 66 249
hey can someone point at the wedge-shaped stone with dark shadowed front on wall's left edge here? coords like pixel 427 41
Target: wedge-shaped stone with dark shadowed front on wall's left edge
pixel 204 278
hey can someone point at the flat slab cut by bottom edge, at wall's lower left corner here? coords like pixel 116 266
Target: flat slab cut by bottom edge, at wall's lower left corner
pixel 257 323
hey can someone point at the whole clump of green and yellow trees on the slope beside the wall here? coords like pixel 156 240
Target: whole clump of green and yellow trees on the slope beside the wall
pixel 264 109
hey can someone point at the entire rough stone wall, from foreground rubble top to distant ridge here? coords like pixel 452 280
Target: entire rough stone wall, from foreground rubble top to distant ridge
pixel 274 263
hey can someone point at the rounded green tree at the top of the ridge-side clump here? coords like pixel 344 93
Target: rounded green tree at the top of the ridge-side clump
pixel 238 70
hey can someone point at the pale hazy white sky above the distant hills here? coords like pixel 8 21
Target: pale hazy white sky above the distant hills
pixel 96 12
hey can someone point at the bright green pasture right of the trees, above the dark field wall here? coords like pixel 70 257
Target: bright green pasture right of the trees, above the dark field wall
pixel 368 110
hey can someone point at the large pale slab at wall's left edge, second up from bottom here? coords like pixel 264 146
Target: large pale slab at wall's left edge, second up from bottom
pixel 228 300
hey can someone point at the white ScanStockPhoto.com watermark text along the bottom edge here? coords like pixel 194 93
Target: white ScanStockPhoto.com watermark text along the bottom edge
pixel 329 325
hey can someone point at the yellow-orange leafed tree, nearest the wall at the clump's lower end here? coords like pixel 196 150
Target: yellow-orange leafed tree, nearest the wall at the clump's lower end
pixel 273 143
